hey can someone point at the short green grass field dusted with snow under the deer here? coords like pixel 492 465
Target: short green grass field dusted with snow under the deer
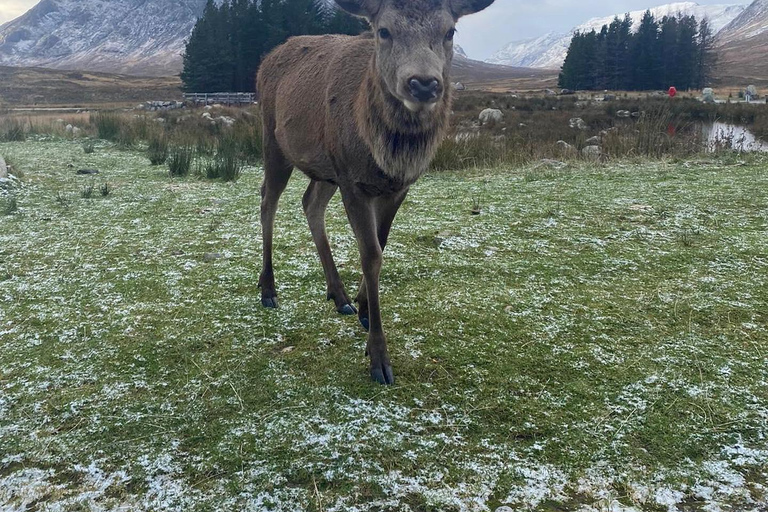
pixel 594 340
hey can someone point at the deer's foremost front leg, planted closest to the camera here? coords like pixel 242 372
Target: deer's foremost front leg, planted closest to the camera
pixel 361 211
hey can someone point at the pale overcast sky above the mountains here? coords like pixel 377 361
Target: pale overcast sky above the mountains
pixel 506 20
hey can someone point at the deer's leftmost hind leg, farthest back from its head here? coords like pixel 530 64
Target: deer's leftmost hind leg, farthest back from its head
pixel 277 172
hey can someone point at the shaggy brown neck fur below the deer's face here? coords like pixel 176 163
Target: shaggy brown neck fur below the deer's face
pixel 402 142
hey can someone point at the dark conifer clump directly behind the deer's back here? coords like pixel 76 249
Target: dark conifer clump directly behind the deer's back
pixel 229 40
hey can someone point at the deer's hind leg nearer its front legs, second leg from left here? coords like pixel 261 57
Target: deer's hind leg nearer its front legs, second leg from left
pixel 315 201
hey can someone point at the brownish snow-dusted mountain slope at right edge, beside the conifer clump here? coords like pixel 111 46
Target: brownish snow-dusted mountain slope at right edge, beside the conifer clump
pixel 742 46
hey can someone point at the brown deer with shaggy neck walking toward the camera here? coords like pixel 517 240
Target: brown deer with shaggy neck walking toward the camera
pixel 363 115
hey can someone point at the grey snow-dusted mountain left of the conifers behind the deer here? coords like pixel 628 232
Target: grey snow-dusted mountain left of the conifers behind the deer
pixel 139 37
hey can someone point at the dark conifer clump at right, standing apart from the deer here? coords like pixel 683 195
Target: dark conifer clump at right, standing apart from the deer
pixel 674 51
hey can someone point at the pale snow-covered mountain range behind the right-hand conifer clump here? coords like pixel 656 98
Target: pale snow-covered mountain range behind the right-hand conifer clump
pixel 549 50
